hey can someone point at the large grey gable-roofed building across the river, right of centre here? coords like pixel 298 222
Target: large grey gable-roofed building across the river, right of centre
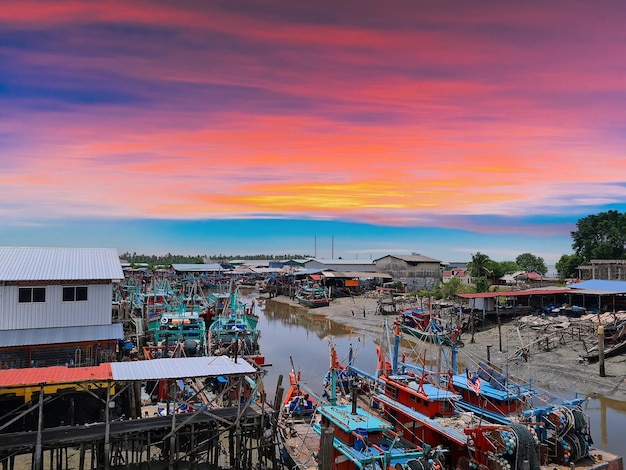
pixel 415 271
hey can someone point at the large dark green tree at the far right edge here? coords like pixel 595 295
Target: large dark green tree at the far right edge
pixel 600 236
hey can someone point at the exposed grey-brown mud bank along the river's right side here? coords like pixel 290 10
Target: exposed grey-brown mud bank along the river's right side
pixel 558 368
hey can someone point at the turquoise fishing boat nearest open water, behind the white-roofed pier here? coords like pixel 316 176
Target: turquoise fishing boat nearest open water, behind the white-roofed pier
pixel 234 330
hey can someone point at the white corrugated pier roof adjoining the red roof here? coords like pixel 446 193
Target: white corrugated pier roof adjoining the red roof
pixel 174 368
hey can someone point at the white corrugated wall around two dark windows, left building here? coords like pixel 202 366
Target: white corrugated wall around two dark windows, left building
pixel 54 312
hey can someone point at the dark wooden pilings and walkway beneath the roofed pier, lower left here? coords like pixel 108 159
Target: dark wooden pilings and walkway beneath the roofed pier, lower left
pixel 201 439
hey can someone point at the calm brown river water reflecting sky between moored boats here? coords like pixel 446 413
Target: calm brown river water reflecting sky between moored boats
pixel 288 331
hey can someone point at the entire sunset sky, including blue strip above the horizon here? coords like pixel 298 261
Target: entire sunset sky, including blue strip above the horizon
pixel 351 129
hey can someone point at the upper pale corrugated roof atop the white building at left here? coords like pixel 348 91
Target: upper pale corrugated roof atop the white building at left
pixel 59 264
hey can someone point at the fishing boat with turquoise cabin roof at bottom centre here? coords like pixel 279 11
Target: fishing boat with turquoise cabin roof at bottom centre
pixel 351 437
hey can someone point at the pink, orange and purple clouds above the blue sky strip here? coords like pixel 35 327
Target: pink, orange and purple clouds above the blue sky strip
pixel 496 111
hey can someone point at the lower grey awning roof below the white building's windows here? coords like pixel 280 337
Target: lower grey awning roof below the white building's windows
pixel 72 334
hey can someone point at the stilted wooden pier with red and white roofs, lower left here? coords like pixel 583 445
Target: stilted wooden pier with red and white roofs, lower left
pixel 168 434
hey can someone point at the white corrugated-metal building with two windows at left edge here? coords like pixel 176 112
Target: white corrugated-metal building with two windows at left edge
pixel 55 306
